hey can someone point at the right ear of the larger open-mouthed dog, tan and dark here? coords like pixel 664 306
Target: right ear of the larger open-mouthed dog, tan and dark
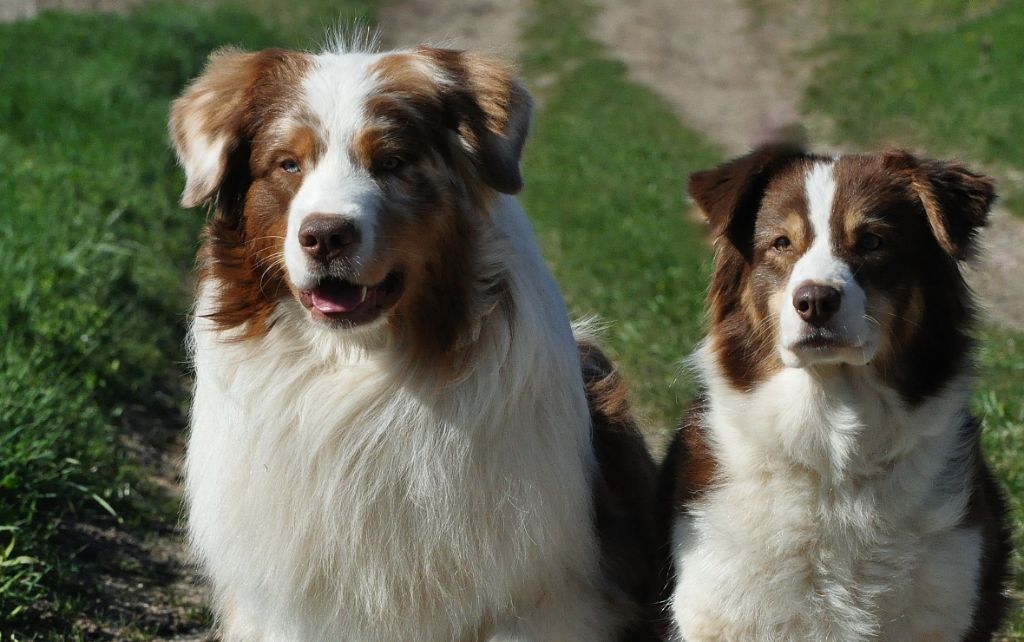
pixel 489 109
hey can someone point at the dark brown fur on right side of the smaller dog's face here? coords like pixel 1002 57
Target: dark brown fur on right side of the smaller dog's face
pixel 915 276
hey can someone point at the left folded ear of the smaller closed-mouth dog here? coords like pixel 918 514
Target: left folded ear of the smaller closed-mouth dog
pixel 730 196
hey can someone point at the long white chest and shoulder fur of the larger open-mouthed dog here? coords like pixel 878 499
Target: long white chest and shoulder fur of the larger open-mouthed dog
pixel 334 494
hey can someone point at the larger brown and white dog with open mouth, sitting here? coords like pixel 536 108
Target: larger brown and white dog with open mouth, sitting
pixel 391 434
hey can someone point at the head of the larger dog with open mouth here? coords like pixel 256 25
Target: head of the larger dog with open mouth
pixel 353 184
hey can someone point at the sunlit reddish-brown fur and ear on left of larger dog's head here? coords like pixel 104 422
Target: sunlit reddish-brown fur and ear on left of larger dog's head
pixel 241 98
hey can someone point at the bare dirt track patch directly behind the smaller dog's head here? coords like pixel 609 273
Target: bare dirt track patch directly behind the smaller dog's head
pixel 729 72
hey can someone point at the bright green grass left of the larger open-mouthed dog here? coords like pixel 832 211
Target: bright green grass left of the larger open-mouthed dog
pixel 95 258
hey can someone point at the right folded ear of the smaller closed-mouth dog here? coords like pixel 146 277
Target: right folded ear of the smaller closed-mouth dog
pixel 957 201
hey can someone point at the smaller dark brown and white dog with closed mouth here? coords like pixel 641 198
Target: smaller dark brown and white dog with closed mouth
pixel 829 483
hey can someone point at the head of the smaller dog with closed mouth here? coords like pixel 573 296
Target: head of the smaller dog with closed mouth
pixel 846 262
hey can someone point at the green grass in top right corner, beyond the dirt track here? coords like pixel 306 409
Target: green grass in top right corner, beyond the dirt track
pixel 938 75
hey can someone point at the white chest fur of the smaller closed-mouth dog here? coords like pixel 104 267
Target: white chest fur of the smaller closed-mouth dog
pixel 837 512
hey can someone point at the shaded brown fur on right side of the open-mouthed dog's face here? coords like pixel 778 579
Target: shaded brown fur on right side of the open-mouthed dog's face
pixel 431 223
